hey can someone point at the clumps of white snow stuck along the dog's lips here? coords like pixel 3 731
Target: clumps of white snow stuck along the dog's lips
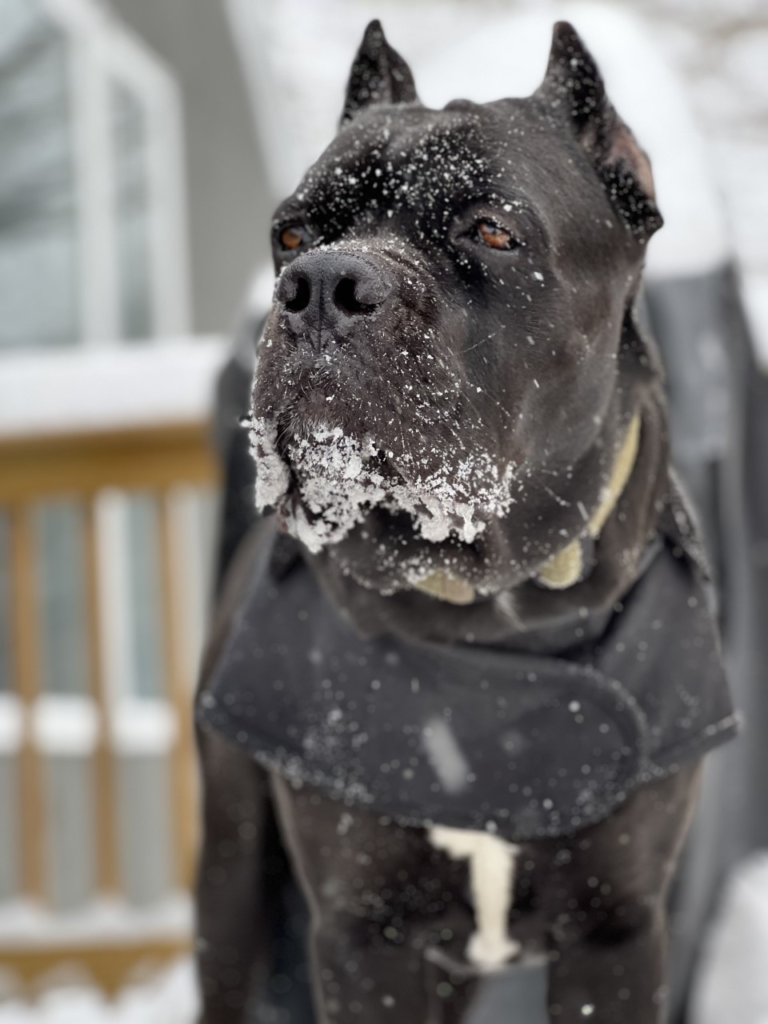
pixel 339 480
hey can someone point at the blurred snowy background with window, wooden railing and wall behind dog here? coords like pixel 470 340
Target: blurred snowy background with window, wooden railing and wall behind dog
pixel 144 145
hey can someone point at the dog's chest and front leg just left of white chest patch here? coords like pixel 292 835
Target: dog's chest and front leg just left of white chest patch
pixel 377 893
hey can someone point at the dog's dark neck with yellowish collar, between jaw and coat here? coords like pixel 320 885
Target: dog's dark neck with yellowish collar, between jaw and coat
pixel 531 615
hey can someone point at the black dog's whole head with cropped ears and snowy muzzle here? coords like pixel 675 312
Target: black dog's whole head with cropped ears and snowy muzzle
pixel 440 386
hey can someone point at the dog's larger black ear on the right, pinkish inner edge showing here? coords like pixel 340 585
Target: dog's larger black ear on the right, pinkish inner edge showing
pixel 574 92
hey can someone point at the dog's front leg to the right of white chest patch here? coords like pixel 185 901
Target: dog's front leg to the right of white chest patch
pixel 609 893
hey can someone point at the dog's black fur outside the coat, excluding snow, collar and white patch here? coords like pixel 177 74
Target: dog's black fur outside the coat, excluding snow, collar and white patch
pixel 535 355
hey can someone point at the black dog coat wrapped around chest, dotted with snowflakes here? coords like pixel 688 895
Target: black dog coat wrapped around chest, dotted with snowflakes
pixel 475 737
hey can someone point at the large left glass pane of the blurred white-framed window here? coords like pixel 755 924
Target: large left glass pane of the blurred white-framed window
pixel 38 230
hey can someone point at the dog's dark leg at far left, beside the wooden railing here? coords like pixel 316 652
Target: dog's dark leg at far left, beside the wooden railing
pixel 232 919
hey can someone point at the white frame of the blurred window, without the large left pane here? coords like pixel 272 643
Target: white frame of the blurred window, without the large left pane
pixel 104 53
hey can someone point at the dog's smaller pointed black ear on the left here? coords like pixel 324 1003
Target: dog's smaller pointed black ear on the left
pixel 379 75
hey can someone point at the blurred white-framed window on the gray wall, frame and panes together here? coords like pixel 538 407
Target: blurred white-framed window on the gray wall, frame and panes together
pixel 93 247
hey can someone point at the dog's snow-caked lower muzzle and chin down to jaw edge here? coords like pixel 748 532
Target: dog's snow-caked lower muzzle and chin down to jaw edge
pixel 358 501
